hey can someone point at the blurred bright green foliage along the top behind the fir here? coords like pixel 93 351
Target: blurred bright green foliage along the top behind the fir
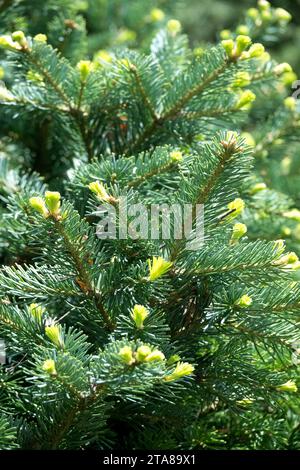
pixel 111 23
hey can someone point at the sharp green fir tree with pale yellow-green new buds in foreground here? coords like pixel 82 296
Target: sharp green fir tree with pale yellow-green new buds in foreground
pixel 145 343
